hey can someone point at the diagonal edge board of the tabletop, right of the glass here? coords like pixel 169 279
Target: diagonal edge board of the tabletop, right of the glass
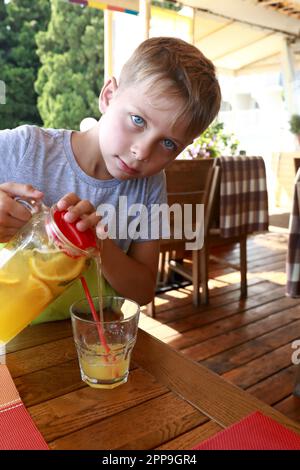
pixel 209 393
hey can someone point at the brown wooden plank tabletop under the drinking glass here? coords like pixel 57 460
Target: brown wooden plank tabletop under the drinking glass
pixel 169 402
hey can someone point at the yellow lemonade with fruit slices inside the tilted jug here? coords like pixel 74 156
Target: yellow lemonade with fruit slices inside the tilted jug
pixel 29 281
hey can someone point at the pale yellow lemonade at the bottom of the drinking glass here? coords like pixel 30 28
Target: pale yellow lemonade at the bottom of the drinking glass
pixel 102 370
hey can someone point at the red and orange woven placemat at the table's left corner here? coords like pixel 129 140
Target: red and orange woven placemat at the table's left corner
pixel 18 431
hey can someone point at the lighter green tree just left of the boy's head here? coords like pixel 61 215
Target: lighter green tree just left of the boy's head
pixel 71 76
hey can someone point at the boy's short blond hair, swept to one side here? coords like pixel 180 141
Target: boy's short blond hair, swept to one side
pixel 180 69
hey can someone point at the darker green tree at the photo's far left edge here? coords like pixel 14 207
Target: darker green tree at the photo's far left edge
pixel 20 21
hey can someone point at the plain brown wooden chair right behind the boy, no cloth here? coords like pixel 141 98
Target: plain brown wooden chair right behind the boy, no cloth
pixel 188 182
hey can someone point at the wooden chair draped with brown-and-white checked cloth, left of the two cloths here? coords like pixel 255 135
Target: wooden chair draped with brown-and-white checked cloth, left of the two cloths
pixel 240 207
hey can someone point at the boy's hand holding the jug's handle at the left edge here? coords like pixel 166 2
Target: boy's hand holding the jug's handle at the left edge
pixel 14 215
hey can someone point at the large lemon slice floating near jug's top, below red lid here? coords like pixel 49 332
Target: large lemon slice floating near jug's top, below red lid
pixel 55 266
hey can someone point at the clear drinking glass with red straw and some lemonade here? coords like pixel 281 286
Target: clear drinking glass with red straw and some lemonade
pixel 104 346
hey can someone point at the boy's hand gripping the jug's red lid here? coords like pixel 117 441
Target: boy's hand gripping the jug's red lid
pixel 78 209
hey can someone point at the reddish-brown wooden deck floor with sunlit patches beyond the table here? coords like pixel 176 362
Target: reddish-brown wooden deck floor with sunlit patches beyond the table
pixel 248 342
